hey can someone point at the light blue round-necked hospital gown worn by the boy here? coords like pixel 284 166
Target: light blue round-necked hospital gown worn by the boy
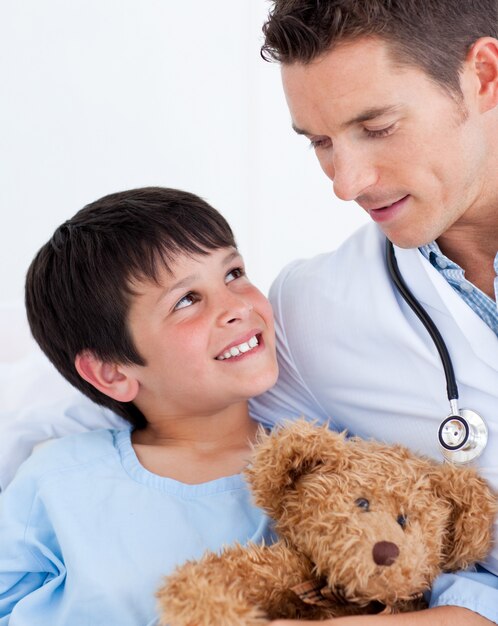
pixel 87 534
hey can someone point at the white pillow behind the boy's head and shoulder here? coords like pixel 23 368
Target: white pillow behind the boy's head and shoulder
pixel 36 402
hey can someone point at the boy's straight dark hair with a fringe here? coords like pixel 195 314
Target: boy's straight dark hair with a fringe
pixel 78 287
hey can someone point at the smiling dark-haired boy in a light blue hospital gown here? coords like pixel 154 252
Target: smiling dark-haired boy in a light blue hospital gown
pixel 141 300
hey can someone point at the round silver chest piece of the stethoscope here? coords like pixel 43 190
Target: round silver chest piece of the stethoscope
pixel 462 436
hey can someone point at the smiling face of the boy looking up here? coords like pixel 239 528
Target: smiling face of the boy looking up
pixel 206 335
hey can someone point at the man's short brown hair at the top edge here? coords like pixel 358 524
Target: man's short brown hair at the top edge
pixel 433 35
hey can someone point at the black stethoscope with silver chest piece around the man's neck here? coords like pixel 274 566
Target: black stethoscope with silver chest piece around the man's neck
pixel 462 435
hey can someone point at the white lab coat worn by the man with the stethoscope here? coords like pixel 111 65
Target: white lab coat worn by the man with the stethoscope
pixel 354 353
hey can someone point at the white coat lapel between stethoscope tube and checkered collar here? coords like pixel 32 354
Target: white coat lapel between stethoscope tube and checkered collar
pixel 434 292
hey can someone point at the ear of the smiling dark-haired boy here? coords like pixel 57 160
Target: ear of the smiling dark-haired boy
pixel 109 378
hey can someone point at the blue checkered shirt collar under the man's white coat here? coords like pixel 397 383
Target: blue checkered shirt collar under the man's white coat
pixel 479 302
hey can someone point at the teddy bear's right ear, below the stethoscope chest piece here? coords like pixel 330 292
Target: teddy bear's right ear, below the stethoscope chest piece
pixel 473 508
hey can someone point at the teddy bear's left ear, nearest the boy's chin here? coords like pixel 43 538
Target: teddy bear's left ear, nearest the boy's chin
pixel 286 454
